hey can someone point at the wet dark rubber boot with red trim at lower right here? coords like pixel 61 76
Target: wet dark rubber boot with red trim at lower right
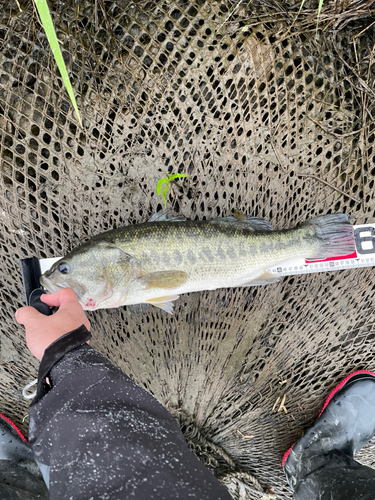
pixel 321 465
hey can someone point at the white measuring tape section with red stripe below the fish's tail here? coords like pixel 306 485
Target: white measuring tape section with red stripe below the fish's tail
pixel 364 256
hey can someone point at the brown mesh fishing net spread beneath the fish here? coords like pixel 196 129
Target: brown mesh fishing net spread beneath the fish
pixel 273 120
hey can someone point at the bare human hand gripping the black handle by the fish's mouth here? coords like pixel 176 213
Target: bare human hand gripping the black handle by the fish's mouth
pixel 42 330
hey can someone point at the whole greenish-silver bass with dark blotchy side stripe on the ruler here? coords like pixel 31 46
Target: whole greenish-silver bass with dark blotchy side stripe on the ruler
pixel 156 261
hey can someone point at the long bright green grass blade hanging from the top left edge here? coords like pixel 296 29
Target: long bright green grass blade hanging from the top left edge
pixel 47 23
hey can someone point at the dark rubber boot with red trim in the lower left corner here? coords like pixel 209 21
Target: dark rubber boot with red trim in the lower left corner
pixel 20 477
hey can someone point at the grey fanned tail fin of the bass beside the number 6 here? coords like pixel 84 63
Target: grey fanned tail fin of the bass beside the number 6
pixel 335 235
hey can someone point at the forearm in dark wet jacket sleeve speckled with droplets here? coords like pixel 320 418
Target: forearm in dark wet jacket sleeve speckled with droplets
pixel 101 434
